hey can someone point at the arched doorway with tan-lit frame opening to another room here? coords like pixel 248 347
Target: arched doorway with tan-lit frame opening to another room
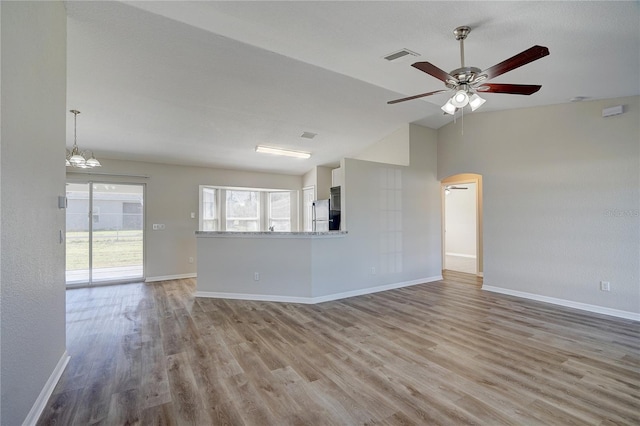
pixel 462 223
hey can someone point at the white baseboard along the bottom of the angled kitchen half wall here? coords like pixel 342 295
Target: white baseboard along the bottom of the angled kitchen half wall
pixel 317 299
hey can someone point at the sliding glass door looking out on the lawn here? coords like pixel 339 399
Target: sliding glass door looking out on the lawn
pixel 105 233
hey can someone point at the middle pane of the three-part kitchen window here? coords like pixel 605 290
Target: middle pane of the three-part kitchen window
pixel 243 210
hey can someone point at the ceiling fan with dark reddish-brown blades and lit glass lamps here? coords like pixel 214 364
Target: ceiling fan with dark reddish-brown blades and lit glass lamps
pixel 467 81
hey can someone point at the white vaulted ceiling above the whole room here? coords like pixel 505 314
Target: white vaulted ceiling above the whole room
pixel 203 82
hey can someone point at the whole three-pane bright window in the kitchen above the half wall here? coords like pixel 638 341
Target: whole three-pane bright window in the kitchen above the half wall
pixel 247 210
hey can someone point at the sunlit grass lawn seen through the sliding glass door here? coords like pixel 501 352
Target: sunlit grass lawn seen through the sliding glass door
pixel 110 249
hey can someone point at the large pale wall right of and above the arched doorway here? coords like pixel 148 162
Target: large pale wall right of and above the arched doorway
pixel 561 188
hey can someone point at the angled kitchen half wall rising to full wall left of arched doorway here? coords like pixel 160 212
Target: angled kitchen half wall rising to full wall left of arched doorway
pixel 393 237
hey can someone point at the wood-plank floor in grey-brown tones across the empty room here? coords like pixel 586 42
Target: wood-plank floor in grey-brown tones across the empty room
pixel 439 353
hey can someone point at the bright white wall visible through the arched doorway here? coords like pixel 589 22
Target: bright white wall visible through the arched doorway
pixel 460 220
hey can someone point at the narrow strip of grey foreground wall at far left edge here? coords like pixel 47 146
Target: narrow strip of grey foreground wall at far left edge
pixel 33 93
